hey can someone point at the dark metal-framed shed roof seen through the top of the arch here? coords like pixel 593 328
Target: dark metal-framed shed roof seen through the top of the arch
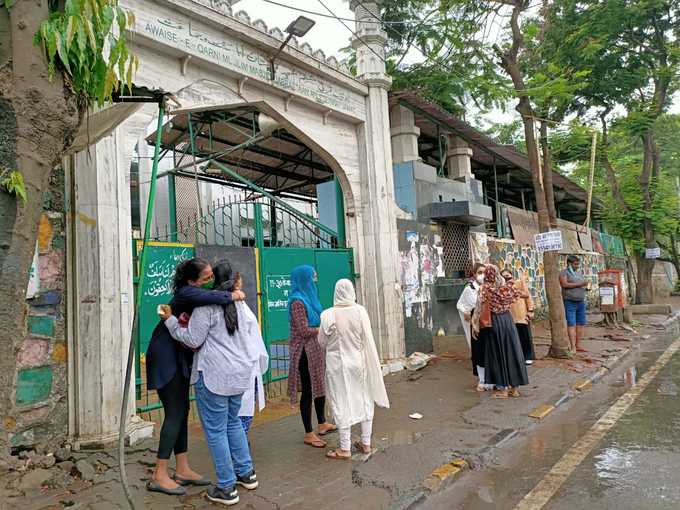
pixel 278 162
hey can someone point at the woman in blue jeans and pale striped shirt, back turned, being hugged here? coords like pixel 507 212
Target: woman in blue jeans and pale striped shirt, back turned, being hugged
pixel 221 373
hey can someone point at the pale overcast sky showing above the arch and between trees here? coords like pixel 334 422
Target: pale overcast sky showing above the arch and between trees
pixel 331 36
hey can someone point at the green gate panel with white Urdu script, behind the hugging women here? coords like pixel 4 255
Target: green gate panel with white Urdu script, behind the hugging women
pixel 161 261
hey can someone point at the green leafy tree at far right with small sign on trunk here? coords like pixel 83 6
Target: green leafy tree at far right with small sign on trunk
pixel 631 52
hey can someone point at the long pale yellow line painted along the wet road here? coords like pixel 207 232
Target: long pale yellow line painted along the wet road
pixel 551 483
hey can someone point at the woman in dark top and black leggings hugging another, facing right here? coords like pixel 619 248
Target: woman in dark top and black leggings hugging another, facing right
pixel 168 368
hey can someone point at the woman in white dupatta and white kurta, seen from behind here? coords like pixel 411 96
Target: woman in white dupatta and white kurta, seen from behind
pixel 354 382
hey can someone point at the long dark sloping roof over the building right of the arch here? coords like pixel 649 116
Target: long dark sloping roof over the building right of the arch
pixel 491 162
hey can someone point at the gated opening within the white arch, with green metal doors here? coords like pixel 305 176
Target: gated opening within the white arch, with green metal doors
pixel 259 232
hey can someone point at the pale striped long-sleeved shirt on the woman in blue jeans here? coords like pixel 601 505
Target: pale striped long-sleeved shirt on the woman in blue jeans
pixel 223 359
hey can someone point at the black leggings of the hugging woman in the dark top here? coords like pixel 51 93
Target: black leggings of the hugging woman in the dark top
pixel 174 432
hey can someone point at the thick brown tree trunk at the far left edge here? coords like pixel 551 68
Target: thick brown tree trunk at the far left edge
pixel 38 121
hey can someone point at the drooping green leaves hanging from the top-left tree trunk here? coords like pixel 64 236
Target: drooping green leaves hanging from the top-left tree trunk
pixel 86 42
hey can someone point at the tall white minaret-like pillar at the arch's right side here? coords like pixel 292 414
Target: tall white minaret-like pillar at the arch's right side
pixel 380 278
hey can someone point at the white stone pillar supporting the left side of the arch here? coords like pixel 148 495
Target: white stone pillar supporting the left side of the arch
pixel 101 291
